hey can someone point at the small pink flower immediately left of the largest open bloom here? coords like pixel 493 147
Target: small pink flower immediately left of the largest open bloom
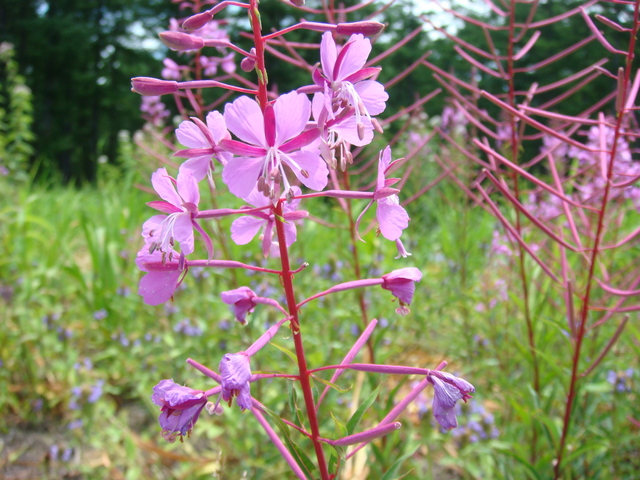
pixel 202 141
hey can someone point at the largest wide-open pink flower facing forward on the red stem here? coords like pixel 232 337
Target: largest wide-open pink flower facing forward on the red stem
pixel 268 142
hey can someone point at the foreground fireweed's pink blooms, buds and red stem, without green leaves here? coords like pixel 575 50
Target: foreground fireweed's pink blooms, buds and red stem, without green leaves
pixel 270 151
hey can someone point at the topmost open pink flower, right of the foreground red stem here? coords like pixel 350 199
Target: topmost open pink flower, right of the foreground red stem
pixel 343 78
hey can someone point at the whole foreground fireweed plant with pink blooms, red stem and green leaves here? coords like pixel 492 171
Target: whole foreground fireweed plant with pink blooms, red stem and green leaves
pixel 278 154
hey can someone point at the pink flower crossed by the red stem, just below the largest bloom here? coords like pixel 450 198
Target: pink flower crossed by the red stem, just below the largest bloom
pixel 243 229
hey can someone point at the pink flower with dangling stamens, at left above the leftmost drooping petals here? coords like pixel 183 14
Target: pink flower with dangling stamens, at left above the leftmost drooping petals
pixel 160 231
